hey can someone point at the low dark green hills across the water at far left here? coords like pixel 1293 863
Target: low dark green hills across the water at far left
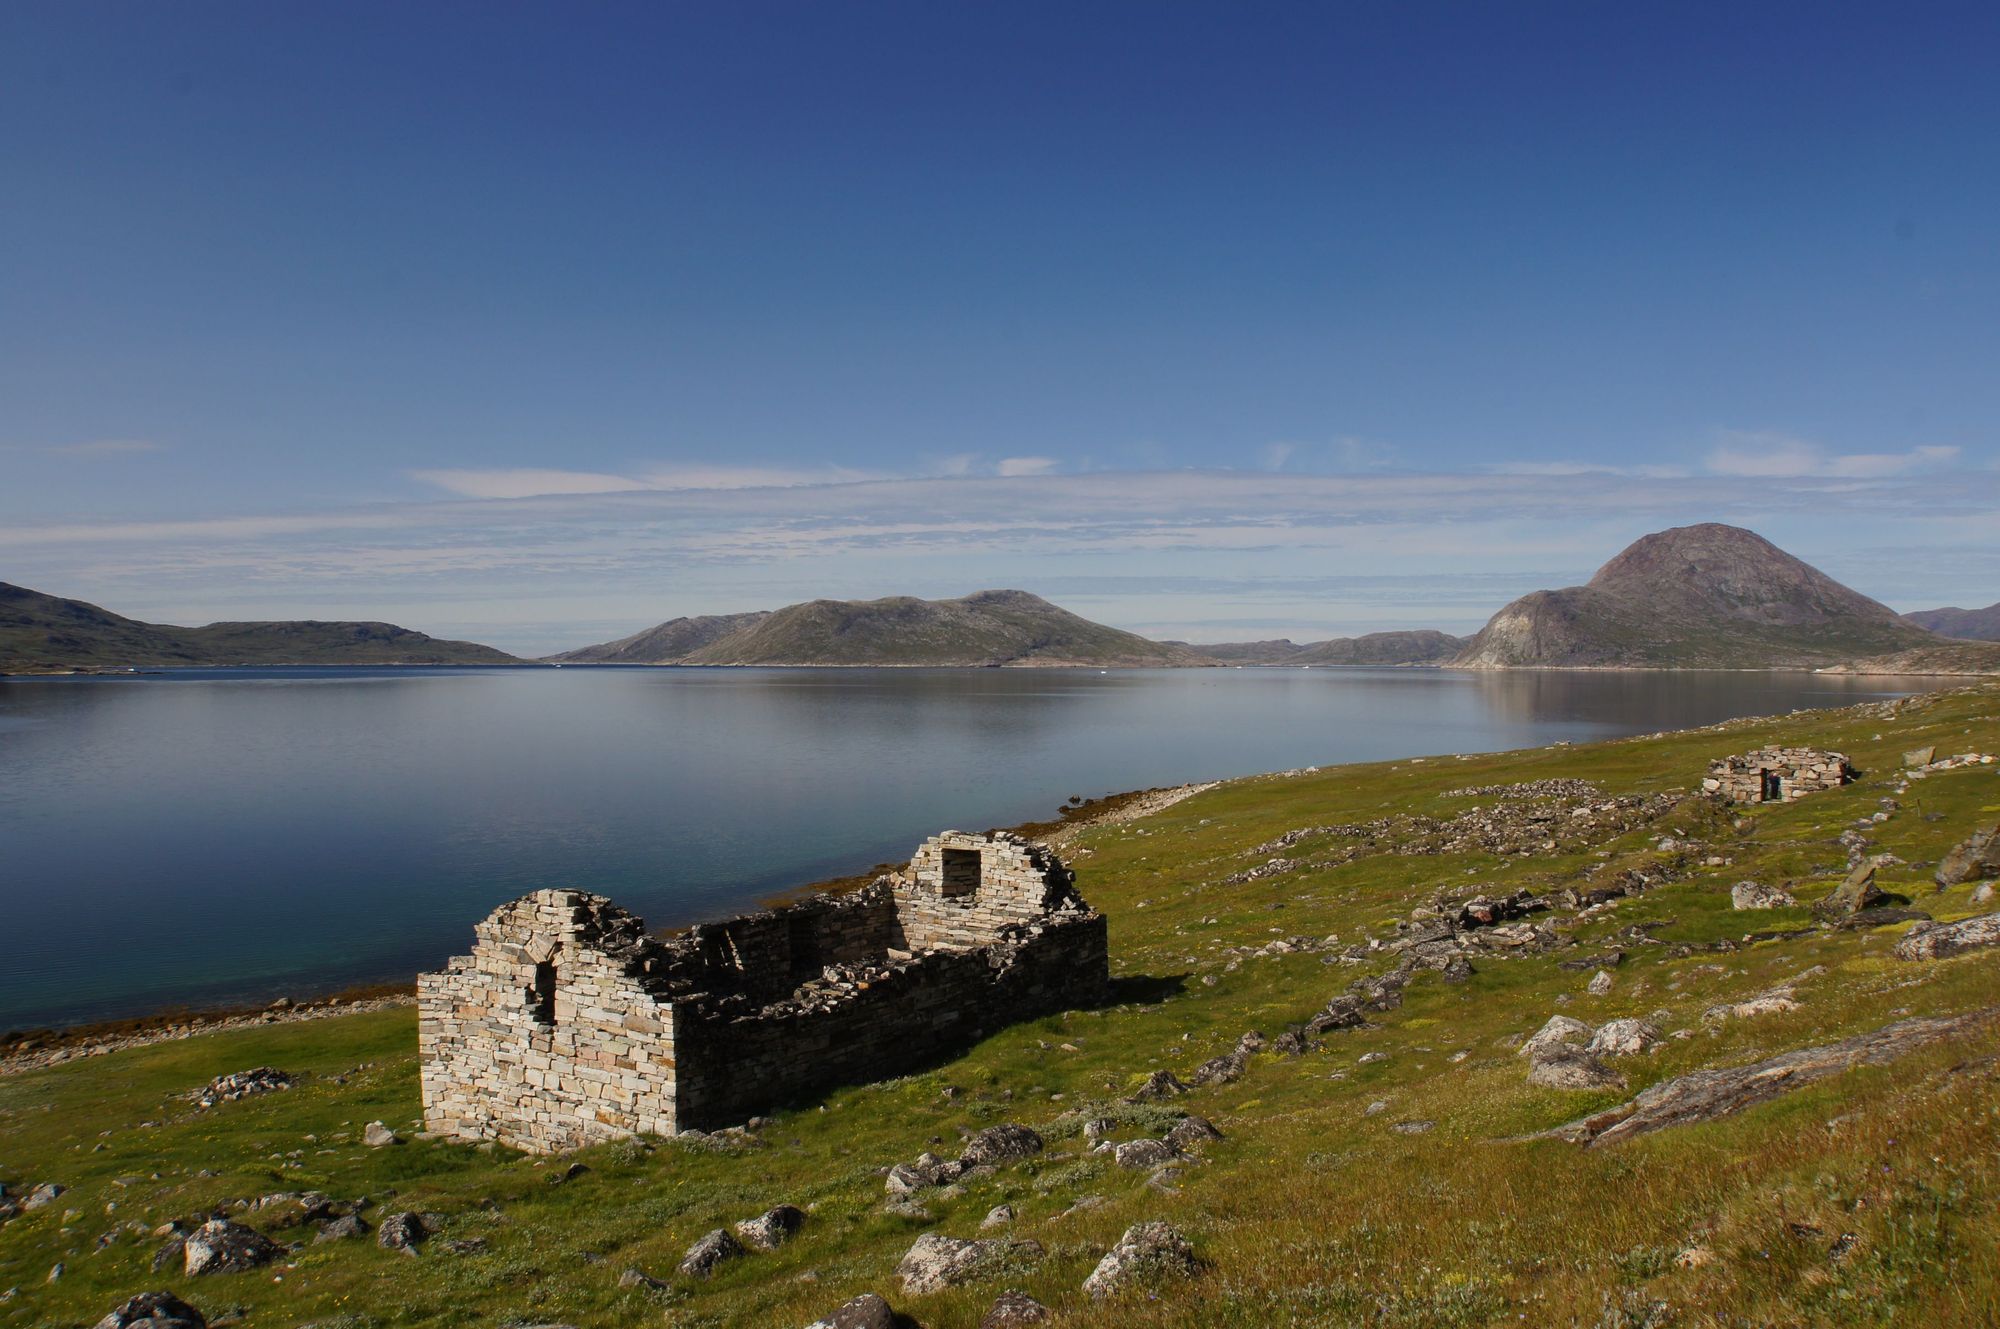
pixel 43 633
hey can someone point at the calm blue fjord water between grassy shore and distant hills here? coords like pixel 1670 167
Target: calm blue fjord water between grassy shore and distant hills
pixel 227 836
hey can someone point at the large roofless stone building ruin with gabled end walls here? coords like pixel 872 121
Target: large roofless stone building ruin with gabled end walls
pixel 569 1024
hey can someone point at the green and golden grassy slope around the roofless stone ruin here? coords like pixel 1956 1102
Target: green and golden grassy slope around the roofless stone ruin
pixel 1311 1212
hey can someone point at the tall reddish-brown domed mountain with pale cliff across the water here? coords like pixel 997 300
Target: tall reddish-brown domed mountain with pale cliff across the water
pixel 1697 597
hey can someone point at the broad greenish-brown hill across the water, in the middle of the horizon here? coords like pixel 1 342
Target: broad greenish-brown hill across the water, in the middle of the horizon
pixel 991 627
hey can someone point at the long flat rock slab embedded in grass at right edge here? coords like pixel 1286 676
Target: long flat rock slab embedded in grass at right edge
pixel 1707 1096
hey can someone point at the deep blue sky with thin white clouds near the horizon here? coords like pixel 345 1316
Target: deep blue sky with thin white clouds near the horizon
pixel 543 323
